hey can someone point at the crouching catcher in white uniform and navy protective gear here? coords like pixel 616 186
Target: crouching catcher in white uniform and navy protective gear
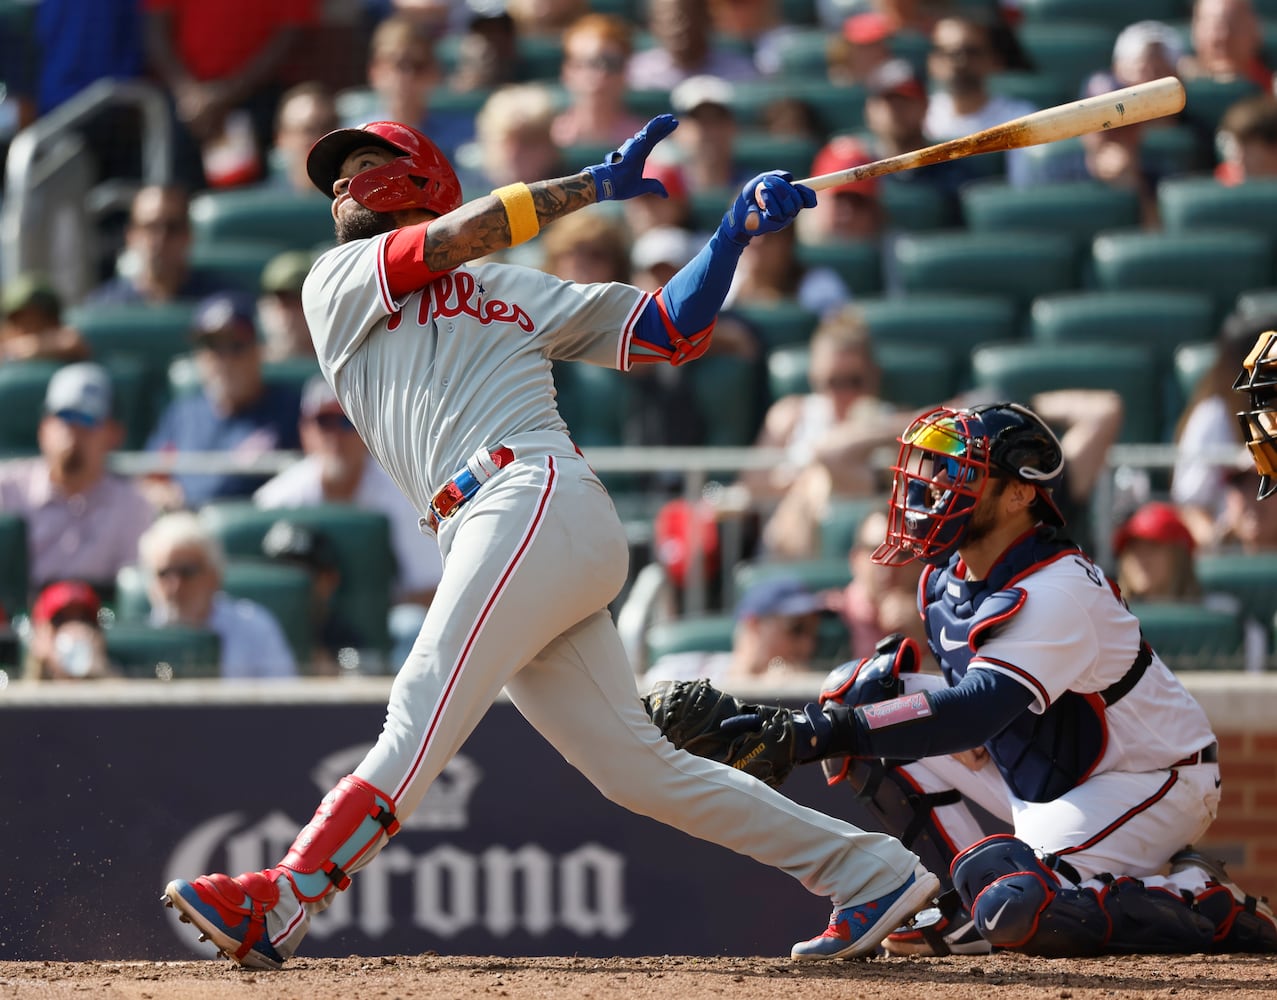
pixel 1052 713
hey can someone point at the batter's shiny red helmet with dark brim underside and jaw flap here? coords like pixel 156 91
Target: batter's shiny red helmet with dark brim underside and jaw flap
pixel 421 178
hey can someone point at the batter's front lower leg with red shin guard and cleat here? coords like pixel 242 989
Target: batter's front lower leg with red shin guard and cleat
pixel 260 919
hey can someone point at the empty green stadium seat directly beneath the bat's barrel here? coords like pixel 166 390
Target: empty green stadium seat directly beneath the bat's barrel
pixel 1080 210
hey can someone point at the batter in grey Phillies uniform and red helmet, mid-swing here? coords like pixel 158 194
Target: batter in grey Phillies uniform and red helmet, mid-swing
pixel 445 370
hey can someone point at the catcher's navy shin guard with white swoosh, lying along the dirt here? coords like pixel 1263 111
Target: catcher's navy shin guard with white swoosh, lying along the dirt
pixel 1020 904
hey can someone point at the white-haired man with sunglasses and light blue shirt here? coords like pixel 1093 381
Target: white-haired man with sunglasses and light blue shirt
pixel 183 565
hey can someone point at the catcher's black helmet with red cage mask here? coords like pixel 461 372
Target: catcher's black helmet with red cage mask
pixel 946 462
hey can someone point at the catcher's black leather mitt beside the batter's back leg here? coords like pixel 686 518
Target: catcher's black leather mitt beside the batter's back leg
pixel 759 740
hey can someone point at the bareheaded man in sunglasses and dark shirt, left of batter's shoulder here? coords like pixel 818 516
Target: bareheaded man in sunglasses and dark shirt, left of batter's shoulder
pixel 155 262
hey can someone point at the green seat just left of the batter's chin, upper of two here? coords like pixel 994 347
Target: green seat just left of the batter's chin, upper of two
pixel 284 220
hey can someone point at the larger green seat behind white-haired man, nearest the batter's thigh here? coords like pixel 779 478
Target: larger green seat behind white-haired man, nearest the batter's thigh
pixel 361 538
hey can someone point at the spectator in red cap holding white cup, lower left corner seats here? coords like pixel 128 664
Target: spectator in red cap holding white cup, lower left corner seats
pixel 67 642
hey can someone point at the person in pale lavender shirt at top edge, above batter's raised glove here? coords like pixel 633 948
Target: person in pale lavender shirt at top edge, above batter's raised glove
pixel 684 47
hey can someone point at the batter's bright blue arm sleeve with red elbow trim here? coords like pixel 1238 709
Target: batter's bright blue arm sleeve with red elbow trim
pixel 679 320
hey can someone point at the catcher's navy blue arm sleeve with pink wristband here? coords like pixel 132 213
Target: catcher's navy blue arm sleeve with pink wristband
pixel 958 718
